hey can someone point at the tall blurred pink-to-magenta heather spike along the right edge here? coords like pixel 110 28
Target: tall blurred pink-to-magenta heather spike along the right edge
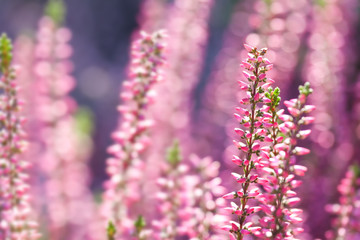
pixel 330 68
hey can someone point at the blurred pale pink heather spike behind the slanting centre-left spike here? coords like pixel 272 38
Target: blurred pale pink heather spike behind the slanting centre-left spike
pixel 185 60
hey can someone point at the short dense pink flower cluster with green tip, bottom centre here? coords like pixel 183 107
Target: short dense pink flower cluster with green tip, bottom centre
pixel 187 198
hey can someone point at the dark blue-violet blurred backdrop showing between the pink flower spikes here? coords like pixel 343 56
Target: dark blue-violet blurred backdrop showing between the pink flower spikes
pixel 101 39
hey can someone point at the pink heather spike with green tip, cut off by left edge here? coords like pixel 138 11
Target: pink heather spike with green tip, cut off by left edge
pixel 15 209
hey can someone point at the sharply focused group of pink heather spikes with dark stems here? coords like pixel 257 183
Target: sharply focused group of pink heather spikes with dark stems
pixel 276 161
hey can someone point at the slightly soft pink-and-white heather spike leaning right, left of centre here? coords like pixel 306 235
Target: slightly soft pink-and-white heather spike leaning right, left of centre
pixel 126 167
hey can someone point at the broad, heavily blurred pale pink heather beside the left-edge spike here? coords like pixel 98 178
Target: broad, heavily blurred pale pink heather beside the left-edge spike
pixel 64 208
